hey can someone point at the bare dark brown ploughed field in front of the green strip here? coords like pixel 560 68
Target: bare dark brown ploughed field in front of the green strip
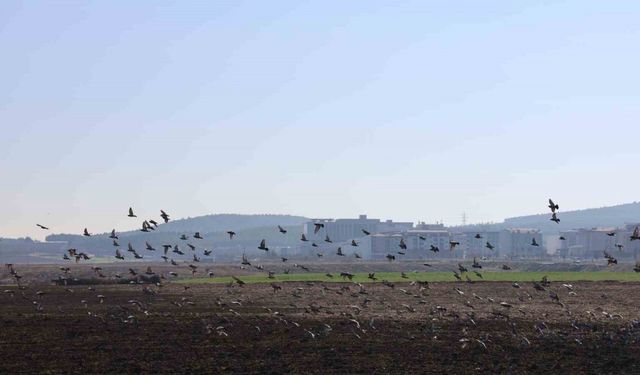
pixel 321 328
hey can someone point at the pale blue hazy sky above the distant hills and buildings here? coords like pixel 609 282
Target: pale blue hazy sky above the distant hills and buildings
pixel 406 110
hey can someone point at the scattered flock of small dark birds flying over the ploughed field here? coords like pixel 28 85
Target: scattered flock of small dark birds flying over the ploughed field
pixel 151 225
